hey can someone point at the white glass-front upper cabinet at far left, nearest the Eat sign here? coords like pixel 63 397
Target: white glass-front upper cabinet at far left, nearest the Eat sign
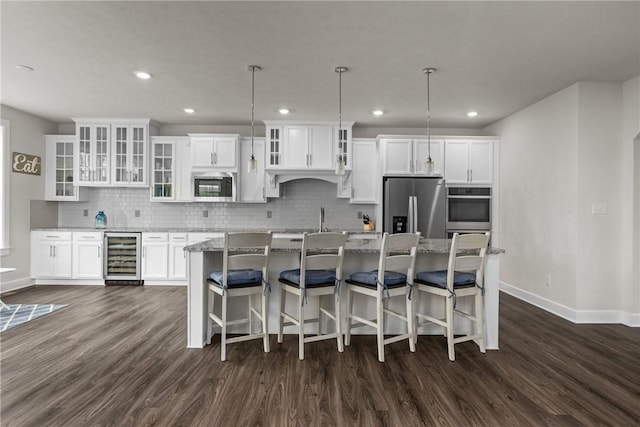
pixel 59 184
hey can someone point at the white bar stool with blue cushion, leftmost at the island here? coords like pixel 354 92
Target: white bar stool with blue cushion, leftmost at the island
pixel 244 273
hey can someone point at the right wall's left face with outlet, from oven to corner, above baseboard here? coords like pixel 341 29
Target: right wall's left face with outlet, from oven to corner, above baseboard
pixel 538 177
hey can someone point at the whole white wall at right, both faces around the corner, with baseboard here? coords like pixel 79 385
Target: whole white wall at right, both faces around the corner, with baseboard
pixel 557 158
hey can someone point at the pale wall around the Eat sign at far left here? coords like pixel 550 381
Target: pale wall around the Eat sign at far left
pixel 27 136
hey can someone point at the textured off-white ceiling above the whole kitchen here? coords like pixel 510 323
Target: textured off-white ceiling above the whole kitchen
pixel 493 57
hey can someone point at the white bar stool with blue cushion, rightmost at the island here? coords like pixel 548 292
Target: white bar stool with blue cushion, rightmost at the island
pixel 464 277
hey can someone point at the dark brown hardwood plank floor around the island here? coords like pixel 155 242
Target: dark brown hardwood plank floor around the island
pixel 116 356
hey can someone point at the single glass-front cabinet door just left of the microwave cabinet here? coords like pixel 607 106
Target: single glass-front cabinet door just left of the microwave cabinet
pixel 163 169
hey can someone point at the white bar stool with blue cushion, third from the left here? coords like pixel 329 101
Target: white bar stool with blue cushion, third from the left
pixel 395 267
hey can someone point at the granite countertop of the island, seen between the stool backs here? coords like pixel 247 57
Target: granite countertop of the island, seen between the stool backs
pixel 426 246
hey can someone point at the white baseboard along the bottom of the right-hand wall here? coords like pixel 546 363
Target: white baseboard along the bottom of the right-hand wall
pixel 571 314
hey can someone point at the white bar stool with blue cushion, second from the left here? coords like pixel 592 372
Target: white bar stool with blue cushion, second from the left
pixel 319 275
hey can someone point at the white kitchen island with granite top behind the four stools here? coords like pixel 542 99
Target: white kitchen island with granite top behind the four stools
pixel 360 254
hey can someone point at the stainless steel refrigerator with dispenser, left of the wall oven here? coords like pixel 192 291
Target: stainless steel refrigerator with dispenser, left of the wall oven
pixel 414 204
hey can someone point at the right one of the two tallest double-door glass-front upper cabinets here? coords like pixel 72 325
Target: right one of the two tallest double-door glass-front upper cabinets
pixel 129 161
